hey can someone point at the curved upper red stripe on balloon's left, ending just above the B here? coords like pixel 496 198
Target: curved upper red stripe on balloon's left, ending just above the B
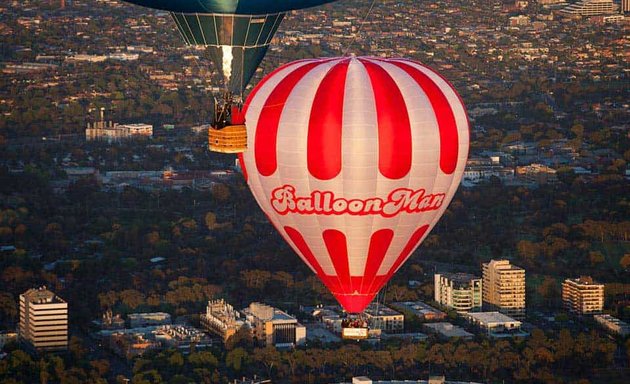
pixel 265 148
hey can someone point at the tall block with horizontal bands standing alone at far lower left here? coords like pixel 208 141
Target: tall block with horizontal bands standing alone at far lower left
pixel 43 320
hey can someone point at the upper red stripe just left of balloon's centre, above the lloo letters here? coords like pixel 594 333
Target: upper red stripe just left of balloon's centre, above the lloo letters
pixel 324 129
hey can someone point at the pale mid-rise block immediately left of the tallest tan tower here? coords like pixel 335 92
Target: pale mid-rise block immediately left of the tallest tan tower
pixel 459 291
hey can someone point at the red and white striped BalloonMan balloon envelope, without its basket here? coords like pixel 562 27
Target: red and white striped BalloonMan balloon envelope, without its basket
pixel 354 160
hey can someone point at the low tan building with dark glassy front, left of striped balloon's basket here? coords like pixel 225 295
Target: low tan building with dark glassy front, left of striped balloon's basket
pixel 271 326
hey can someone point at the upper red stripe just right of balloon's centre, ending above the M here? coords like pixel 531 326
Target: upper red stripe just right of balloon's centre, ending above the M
pixel 394 128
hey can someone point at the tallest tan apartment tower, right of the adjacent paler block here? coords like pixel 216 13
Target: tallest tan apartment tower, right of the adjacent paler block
pixel 504 288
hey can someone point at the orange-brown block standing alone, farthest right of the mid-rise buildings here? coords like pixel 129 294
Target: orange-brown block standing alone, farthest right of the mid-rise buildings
pixel 583 296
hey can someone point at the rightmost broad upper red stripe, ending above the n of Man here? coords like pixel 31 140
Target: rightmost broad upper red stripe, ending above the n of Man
pixel 449 143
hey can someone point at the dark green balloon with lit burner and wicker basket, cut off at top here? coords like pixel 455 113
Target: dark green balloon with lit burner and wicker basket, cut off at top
pixel 237 34
